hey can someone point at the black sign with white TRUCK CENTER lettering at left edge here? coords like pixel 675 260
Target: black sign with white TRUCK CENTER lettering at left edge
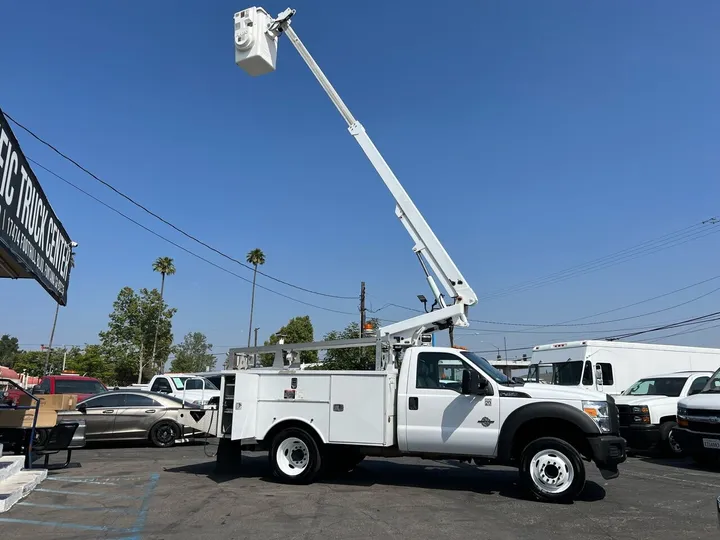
pixel 33 242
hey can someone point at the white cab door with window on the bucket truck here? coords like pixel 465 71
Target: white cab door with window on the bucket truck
pixel 440 419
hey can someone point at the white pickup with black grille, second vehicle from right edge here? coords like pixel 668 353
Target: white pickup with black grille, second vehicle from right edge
pixel 648 408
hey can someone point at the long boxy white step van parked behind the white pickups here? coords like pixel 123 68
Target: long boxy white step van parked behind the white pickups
pixel 612 366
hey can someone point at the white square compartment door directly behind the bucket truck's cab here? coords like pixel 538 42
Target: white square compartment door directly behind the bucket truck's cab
pixel 357 409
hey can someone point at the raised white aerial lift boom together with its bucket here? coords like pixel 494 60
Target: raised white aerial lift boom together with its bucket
pixel 256 36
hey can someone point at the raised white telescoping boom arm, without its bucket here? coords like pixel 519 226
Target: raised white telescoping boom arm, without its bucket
pixel 426 243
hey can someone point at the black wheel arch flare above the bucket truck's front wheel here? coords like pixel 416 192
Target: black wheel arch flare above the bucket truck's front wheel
pixel 540 410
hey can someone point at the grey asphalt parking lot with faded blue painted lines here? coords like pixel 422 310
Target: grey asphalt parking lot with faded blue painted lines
pixel 135 493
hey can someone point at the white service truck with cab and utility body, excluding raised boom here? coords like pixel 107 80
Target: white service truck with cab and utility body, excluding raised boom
pixel 311 421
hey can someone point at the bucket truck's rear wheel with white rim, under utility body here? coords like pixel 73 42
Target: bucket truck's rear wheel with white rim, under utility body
pixel 295 456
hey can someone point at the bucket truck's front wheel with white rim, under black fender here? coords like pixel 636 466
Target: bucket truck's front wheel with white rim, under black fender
pixel 552 470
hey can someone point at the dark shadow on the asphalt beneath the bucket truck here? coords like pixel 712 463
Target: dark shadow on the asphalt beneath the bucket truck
pixel 431 475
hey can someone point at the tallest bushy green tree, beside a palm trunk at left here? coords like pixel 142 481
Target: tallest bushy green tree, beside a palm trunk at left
pixel 130 335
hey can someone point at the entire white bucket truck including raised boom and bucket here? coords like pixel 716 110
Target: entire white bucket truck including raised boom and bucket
pixel 311 421
